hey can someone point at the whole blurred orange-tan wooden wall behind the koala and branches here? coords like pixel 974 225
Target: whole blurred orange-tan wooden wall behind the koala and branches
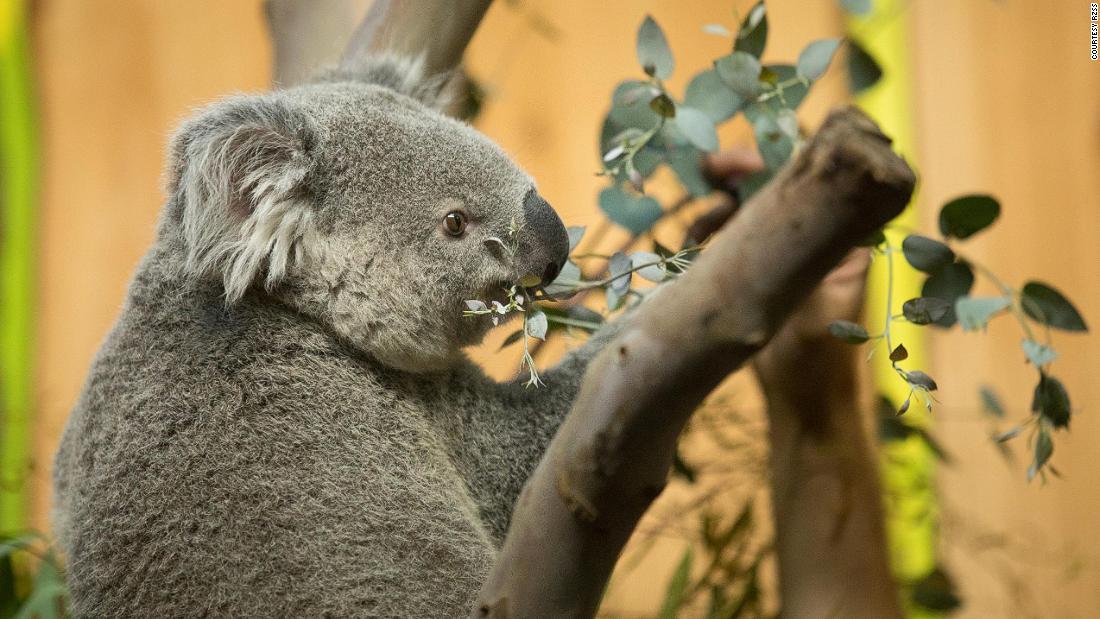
pixel 1006 103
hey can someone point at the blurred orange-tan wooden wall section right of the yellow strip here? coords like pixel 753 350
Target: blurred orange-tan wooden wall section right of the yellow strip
pixel 1007 103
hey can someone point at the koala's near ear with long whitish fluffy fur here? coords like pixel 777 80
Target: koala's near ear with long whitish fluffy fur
pixel 240 175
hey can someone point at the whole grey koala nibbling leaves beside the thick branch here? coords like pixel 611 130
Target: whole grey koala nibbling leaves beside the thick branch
pixel 282 422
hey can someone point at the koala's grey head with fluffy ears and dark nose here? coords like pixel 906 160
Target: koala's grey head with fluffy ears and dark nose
pixel 357 203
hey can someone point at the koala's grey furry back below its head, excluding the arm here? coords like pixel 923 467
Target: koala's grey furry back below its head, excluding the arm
pixel 238 462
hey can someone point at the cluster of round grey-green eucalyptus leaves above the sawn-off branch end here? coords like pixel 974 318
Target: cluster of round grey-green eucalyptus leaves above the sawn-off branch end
pixel 648 126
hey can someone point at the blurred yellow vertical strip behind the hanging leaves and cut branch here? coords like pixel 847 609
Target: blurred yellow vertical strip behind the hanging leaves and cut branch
pixel 909 466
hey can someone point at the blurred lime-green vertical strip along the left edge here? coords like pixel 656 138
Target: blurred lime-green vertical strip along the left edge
pixel 18 184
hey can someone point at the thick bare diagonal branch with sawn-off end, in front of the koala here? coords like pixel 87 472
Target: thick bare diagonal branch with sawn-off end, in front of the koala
pixel 611 458
